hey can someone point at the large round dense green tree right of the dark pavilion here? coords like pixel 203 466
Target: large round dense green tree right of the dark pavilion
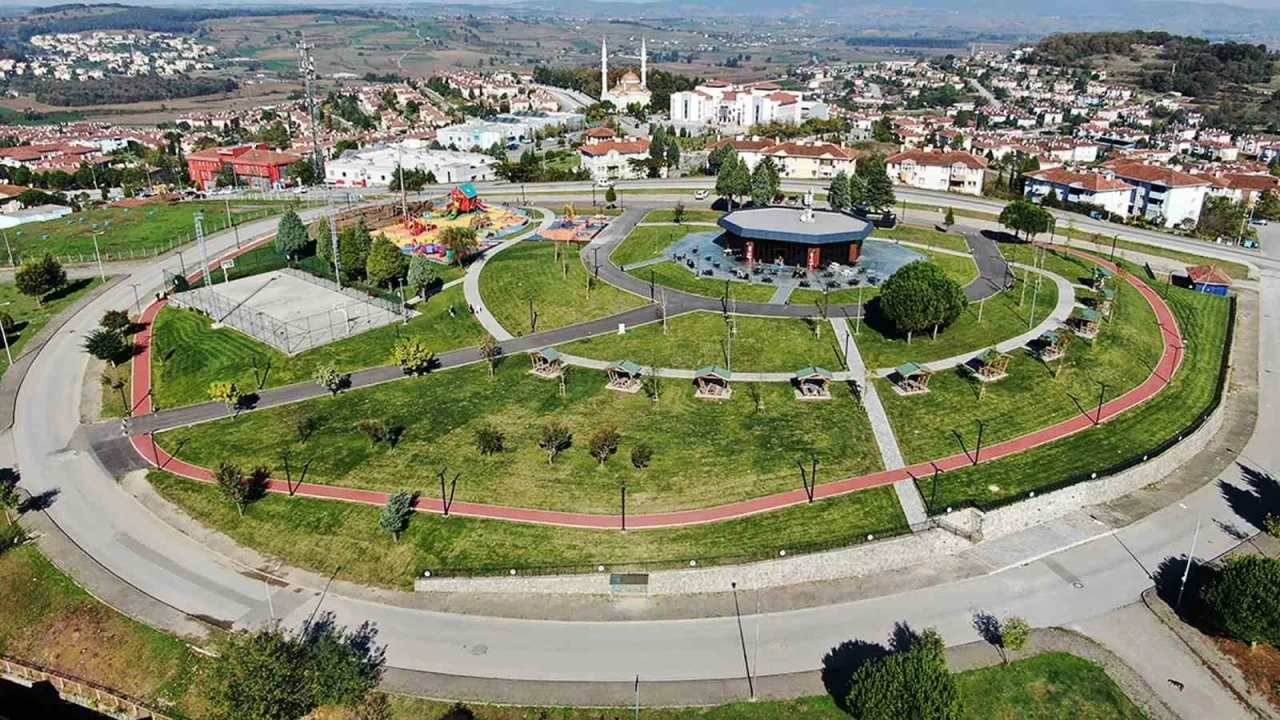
pixel 920 297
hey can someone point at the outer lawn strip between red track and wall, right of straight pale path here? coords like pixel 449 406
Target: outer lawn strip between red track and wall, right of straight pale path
pixel 1203 320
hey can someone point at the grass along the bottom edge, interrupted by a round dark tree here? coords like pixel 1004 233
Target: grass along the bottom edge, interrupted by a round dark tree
pixel 1049 687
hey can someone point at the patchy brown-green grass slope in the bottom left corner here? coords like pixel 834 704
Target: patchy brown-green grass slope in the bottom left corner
pixel 48 621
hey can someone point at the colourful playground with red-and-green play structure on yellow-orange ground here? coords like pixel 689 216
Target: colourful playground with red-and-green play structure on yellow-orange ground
pixel 464 209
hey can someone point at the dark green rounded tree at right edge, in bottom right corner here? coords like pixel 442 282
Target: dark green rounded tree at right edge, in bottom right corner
pixel 1244 599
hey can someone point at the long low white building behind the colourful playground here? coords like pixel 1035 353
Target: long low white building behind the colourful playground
pixel 376 166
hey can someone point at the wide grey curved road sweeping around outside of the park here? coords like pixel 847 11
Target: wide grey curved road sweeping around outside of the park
pixel 1064 589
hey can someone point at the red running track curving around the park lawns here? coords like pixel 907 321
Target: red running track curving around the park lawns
pixel 1171 359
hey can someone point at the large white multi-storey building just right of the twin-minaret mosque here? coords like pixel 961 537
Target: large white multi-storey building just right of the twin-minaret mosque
pixel 720 104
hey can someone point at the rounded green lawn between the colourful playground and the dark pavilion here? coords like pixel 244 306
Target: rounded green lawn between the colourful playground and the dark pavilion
pixel 559 289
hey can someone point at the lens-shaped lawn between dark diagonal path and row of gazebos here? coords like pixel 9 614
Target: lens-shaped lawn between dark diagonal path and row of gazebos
pixel 762 345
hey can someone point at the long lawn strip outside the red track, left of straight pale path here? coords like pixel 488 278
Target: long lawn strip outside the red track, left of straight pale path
pixel 319 534
